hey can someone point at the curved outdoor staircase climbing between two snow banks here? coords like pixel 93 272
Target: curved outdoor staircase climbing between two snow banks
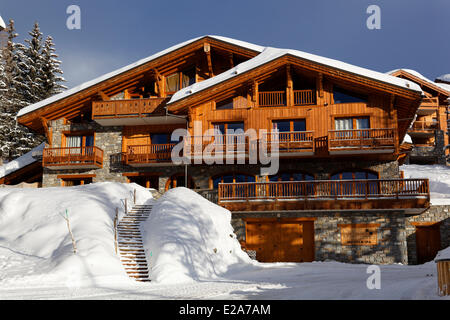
pixel 130 245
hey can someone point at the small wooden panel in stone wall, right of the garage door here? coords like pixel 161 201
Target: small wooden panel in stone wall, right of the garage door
pixel 359 234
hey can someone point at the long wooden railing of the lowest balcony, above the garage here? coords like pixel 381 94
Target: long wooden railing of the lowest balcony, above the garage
pixel 324 189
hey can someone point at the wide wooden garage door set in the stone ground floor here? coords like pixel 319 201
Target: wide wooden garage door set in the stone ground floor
pixel 281 241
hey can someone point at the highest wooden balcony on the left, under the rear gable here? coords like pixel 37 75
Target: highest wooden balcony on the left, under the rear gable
pixel 131 112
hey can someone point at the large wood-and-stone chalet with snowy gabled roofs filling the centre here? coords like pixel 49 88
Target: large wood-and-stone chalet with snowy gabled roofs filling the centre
pixel 338 192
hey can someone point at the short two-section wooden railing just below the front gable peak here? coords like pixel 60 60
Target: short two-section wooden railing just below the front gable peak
pixel 278 98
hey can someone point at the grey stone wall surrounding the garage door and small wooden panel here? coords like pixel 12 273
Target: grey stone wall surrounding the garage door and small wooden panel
pixel 391 247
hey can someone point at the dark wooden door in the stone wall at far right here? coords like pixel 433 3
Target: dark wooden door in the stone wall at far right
pixel 428 242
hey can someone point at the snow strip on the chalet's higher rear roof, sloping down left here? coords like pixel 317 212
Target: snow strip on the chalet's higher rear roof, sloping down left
pixel 138 63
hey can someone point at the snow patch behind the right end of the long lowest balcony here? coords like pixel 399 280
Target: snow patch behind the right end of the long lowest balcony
pixel 439 176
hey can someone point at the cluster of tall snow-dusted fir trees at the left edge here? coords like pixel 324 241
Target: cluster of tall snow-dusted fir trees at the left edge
pixel 29 73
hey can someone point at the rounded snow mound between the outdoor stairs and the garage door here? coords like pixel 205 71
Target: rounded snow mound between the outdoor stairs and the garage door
pixel 188 238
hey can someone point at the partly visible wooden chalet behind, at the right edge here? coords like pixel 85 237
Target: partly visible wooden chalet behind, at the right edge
pixel 429 131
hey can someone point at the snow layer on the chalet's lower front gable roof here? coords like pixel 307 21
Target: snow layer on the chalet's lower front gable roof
pixel 270 54
